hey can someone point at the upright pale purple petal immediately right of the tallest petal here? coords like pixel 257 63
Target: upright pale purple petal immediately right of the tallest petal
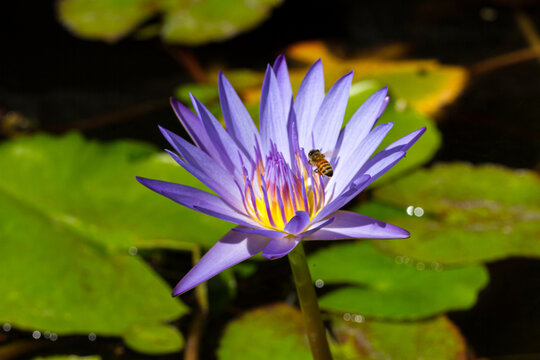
pixel 307 103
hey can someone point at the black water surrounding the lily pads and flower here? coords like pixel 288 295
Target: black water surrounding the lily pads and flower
pixel 47 74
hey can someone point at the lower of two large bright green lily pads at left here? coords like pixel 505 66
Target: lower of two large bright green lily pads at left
pixel 54 280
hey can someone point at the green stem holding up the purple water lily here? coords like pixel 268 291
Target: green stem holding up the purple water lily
pixel 308 303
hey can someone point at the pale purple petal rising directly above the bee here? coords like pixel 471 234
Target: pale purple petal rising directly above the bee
pixel 330 116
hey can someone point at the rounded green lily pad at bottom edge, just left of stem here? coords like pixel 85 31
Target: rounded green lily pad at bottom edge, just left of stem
pixel 271 332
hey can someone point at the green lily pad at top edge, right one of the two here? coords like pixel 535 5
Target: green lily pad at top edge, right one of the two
pixel 197 22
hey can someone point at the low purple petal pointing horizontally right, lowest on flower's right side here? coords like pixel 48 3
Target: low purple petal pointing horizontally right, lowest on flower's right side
pixel 351 225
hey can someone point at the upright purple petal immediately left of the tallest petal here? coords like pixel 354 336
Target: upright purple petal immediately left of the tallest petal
pixel 273 122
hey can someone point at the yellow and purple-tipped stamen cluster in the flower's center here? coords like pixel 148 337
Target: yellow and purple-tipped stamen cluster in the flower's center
pixel 275 190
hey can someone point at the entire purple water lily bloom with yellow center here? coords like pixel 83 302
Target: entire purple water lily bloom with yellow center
pixel 263 179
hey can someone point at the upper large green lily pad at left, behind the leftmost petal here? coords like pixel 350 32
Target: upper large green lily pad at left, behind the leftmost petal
pixel 90 188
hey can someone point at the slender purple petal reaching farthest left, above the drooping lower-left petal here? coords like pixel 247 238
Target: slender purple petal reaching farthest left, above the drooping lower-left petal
pixel 198 200
